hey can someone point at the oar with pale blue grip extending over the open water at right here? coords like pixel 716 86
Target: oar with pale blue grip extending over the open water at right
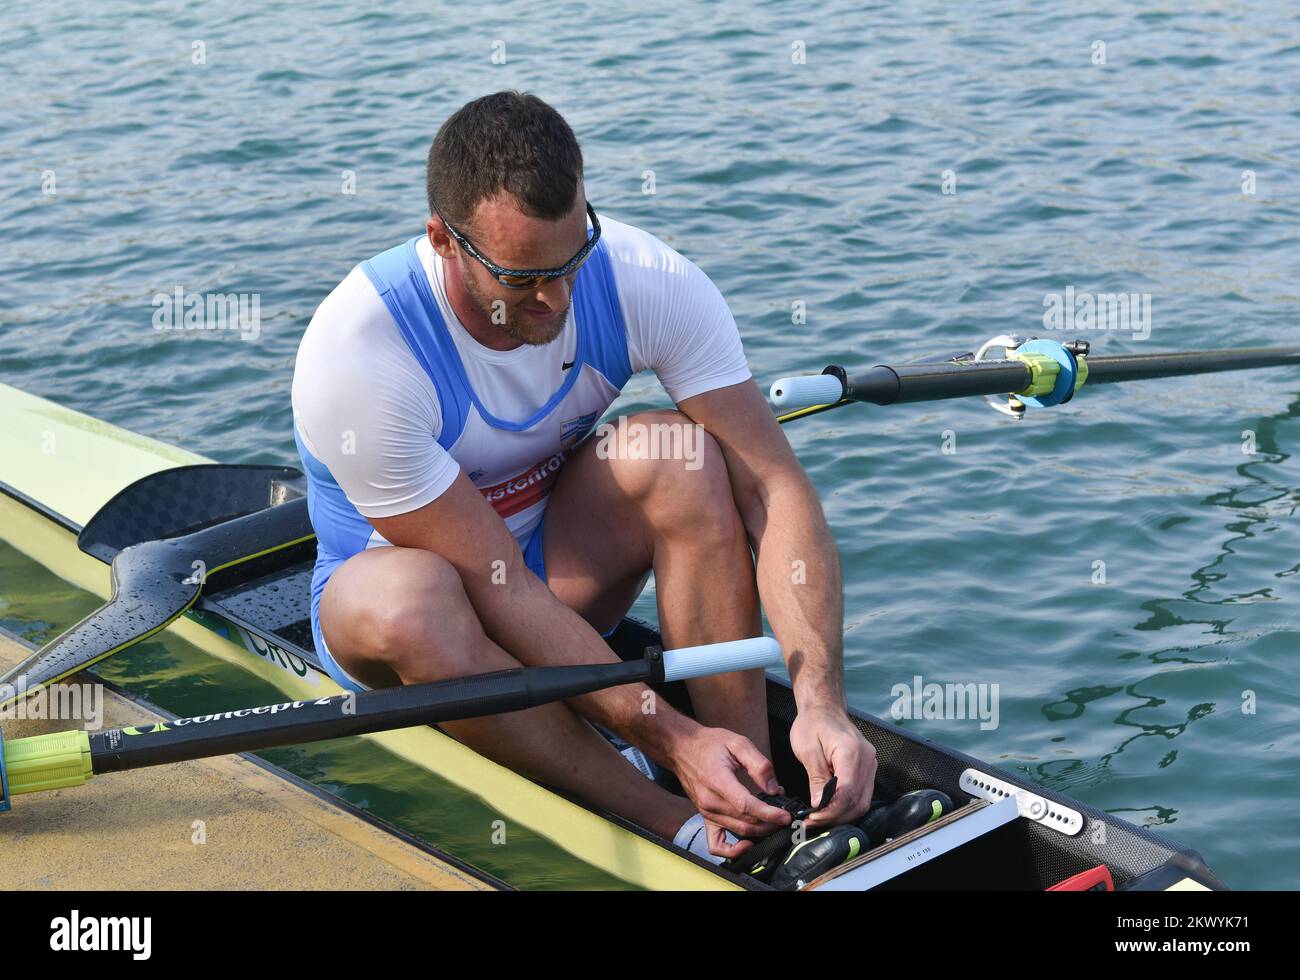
pixel 1038 374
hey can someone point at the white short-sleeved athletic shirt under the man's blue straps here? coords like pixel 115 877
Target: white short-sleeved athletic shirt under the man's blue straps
pixel 369 410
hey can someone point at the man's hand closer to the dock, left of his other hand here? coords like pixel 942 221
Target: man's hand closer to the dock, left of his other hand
pixel 716 769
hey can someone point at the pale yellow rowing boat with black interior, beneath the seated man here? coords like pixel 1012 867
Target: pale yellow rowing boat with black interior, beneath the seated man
pixel 75 492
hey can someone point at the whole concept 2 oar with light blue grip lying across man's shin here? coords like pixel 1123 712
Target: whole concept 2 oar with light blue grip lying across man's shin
pixel 68 760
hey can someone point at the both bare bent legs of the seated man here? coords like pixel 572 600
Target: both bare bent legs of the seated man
pixel 401 615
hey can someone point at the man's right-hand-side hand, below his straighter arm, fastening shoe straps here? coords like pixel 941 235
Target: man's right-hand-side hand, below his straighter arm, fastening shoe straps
pixel 829 744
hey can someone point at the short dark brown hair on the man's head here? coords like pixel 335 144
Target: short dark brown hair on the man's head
pixel 508 141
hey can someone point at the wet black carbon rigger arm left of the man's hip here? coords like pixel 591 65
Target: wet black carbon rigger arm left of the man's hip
pixel 154 584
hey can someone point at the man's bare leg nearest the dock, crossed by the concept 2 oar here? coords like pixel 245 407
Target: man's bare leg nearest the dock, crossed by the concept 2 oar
pixel 401 615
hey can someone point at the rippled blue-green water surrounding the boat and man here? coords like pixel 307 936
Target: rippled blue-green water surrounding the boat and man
pixel 1167 695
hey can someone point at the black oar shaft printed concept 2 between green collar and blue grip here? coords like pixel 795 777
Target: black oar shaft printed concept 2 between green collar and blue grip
pixel 293 723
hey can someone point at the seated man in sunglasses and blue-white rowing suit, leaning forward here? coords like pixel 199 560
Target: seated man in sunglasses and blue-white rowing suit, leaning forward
pixel 441 397
